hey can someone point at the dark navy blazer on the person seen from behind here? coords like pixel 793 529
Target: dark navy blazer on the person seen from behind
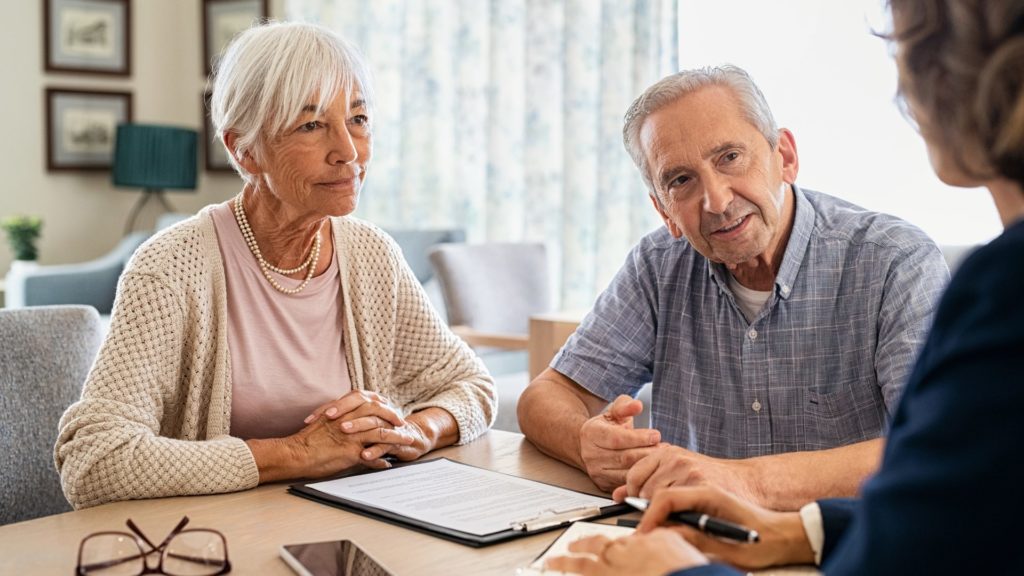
pixel 950 496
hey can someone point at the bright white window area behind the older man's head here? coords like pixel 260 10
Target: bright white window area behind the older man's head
pixel 833 84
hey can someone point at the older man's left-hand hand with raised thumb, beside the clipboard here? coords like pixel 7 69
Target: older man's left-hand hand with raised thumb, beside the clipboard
pixel 610 445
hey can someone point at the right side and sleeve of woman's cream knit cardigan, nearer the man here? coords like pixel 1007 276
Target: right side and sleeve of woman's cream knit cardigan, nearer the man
pixel 405 350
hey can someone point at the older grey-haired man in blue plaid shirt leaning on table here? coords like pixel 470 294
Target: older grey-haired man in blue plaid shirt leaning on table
pixel 778 325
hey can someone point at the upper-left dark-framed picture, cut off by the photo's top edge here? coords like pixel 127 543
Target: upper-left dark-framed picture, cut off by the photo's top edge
pixel 88 36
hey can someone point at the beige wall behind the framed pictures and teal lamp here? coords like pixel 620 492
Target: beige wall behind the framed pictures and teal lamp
pixel 83 215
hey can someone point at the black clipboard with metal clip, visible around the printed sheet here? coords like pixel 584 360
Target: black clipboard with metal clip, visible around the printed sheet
pixel 532 522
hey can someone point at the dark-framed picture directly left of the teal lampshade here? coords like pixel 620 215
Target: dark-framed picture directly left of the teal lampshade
pixel 81 127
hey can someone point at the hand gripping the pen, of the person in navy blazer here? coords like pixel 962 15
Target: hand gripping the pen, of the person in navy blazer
pixel 783 539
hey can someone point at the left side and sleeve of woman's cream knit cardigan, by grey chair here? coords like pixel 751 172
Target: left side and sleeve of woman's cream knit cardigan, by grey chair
pixel 145 425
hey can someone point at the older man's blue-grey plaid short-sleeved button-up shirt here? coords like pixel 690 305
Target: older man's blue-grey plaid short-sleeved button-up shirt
pixel 822 365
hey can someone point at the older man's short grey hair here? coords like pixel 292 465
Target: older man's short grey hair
pixel 671 89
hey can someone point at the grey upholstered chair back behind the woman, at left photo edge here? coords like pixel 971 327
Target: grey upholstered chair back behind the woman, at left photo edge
pixel 46 354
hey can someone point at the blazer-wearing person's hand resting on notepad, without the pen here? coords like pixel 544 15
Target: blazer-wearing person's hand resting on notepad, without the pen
pixel 655 554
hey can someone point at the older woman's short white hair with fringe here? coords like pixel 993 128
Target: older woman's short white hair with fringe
pixel 270 72
